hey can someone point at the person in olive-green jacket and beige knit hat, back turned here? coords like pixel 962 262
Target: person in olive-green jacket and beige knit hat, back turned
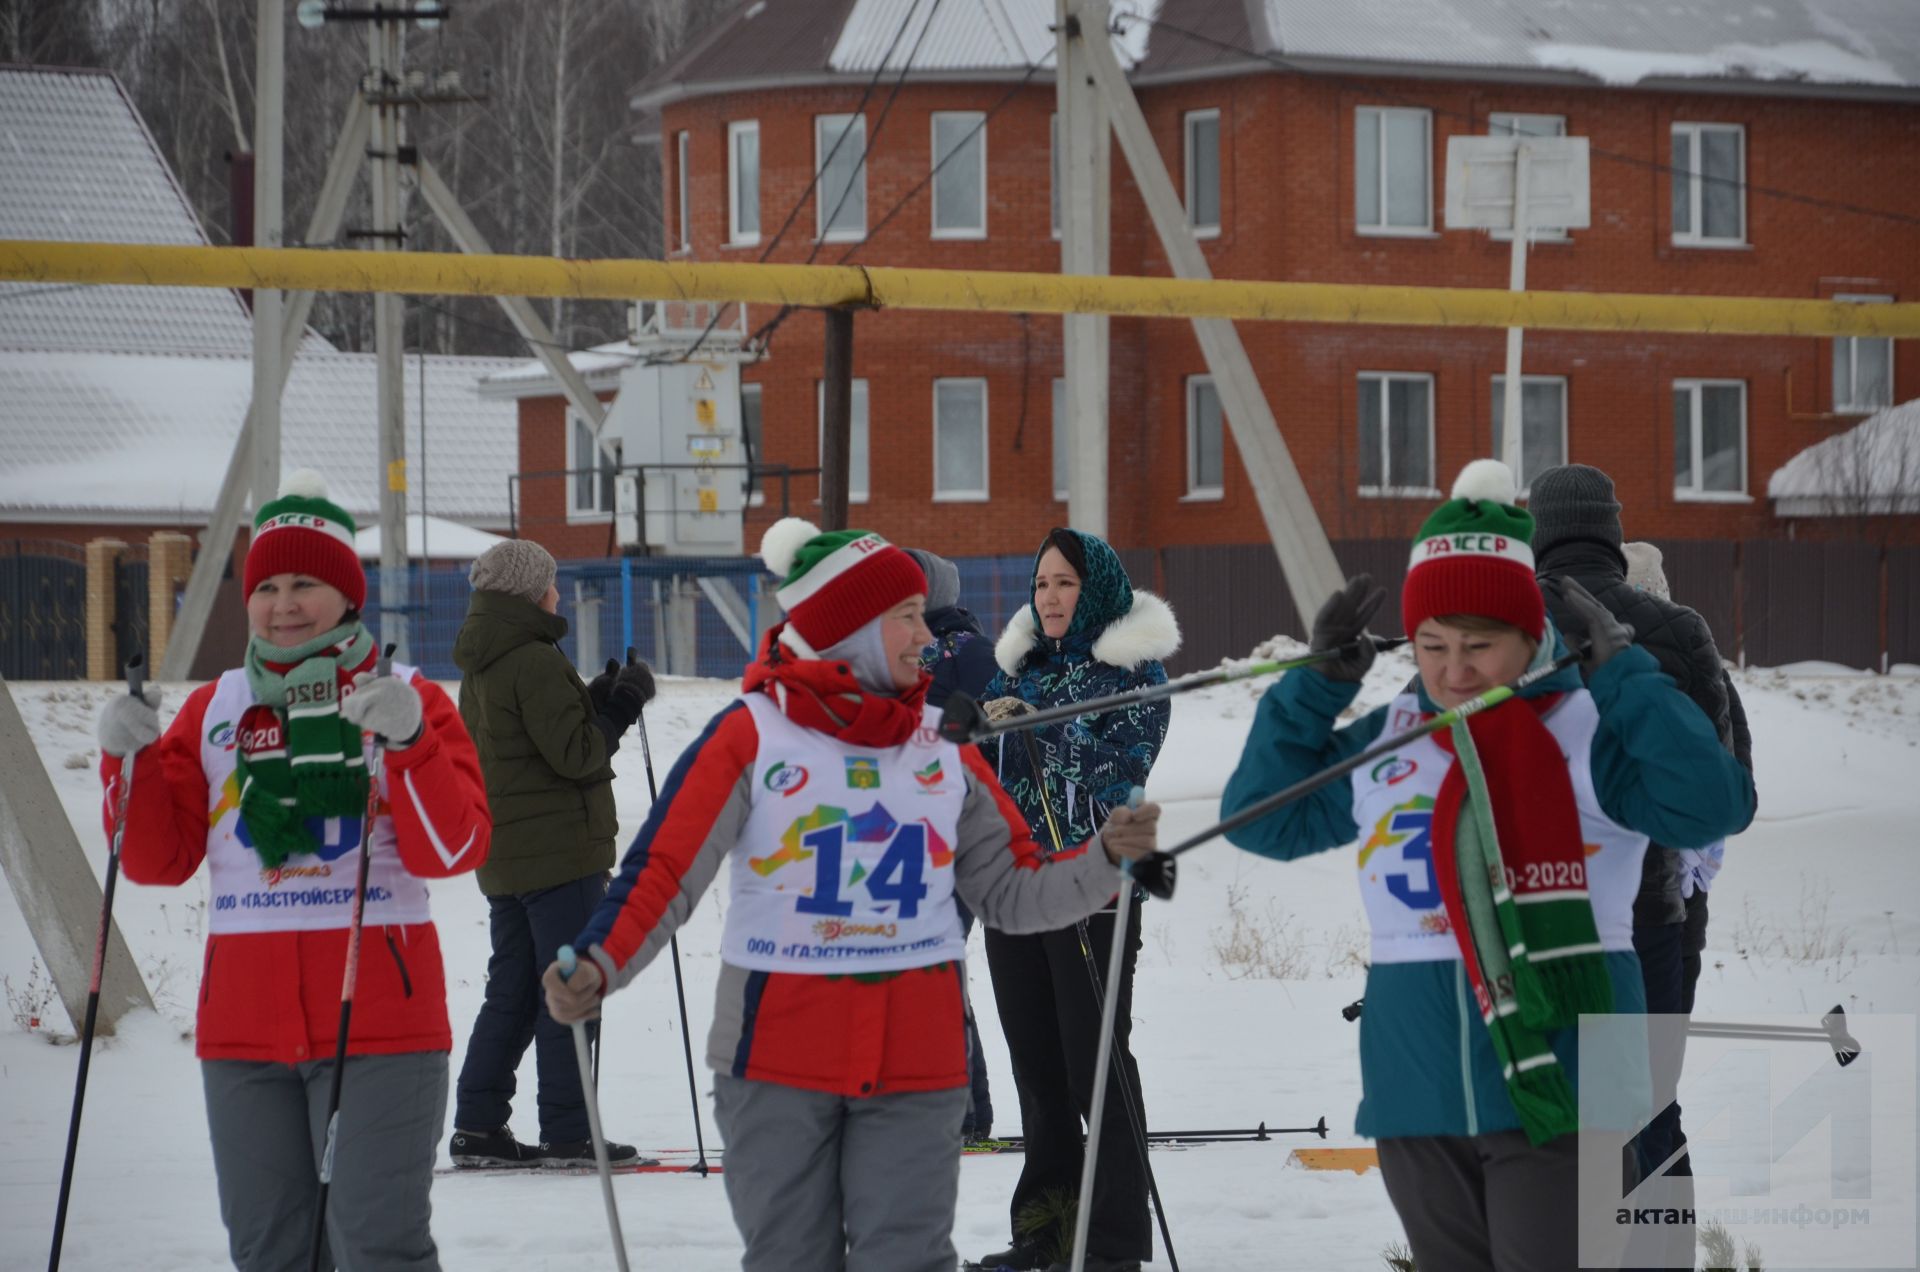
pixel 544 745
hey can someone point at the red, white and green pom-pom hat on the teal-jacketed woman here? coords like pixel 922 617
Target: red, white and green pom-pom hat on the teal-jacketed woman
pixel 1476 556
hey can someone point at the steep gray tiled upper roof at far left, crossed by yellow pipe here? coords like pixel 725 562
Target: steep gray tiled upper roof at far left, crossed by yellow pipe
pixel 78 164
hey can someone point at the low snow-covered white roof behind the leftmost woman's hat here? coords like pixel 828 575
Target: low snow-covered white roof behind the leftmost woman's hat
pixel 145 437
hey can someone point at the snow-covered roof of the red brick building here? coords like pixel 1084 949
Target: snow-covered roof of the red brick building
pixel 1771 47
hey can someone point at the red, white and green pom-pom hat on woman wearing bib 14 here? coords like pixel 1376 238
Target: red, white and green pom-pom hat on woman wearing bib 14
pixel 834 583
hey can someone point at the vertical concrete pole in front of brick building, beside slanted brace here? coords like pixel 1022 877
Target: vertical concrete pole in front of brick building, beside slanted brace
pixel 1084 155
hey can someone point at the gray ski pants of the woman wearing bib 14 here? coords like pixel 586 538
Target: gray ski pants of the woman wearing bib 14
pixel 827 1183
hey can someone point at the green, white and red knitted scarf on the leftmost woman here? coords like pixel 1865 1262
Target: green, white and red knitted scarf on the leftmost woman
pixel 299 758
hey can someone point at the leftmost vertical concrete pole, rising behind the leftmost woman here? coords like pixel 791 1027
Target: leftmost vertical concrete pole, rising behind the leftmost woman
pixel 270 160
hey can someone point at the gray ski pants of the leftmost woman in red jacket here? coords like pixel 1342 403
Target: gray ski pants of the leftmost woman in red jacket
pixel 270 1129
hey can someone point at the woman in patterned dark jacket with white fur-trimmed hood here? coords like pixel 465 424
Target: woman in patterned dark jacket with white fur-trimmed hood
pixel 1086 635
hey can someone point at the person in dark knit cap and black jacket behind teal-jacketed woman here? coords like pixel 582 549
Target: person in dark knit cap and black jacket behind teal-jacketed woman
pixel 1579 539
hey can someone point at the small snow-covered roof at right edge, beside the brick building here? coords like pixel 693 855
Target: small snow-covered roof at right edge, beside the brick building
pixel 1871 470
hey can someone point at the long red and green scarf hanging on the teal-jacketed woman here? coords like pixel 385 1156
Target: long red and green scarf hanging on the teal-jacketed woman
pixel 1533 948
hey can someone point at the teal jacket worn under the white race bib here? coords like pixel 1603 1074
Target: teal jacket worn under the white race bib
pixel 1426 1060
